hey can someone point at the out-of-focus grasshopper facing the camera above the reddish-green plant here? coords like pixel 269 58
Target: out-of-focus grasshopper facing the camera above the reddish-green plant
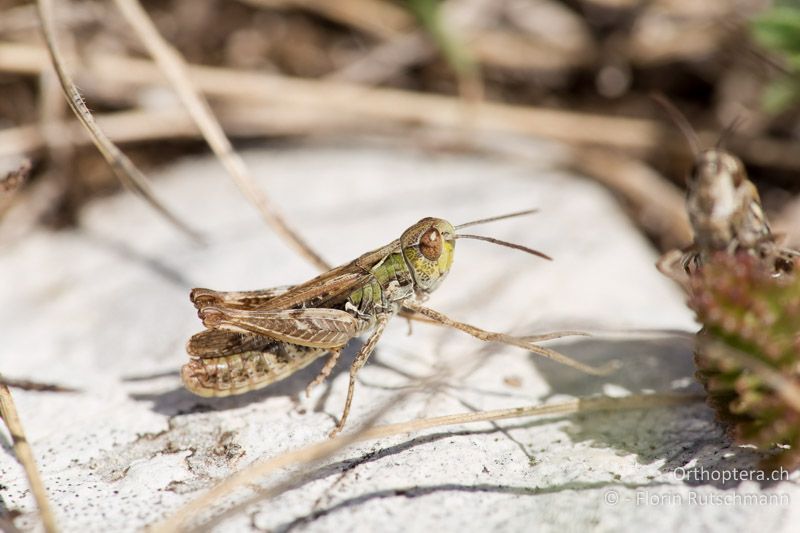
pixel 724 210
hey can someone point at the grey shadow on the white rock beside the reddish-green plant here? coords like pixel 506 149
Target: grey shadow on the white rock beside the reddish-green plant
pixel 693 446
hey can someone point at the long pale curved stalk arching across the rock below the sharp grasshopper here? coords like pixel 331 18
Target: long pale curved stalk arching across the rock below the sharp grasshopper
pixel 314 452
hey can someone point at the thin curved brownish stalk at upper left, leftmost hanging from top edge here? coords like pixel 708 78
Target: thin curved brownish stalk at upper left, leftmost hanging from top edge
pixel 130 176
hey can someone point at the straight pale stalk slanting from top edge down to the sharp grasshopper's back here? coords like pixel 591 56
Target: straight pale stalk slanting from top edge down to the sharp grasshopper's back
pixel 174 68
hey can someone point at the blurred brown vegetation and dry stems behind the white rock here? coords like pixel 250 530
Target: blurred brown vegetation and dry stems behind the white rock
pixel 581 72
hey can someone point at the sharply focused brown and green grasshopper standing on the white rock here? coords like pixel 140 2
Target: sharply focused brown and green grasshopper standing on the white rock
pixel 258 337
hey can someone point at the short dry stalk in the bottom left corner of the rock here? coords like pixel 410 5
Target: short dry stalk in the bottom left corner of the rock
pixel 22 448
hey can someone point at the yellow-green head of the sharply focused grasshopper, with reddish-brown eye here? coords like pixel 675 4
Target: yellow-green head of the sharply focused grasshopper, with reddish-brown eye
pixel 427 249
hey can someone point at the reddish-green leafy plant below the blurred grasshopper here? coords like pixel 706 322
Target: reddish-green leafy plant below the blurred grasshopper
pixel 748 352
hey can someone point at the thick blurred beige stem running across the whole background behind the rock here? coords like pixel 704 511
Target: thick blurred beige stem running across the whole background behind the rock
pixel 379 107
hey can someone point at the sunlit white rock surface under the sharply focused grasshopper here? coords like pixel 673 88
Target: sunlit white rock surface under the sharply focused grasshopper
pixel 104 309
